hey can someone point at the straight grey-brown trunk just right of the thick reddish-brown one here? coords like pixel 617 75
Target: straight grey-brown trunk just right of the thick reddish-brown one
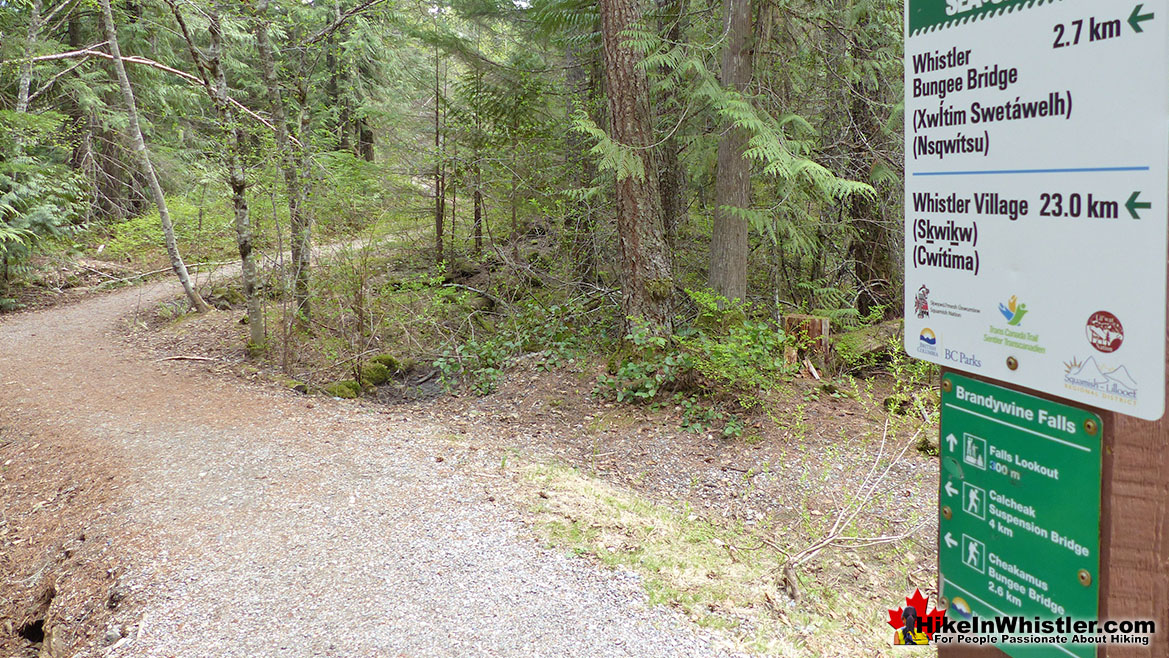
pixel 732 185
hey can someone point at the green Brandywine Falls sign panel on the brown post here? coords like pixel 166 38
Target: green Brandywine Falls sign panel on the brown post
pixel 1020 509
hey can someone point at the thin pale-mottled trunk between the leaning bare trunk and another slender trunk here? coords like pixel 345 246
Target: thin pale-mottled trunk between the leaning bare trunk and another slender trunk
pixel 237 181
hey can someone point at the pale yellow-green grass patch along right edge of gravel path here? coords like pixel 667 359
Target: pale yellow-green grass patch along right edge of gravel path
pixel 720 576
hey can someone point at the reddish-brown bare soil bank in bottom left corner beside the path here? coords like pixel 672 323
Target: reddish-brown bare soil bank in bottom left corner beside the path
pixel 63 543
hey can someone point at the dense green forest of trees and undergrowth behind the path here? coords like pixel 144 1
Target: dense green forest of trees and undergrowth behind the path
pixel 460 183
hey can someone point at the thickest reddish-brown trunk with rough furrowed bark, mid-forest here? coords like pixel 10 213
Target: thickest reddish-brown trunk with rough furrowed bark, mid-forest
pixel 646 273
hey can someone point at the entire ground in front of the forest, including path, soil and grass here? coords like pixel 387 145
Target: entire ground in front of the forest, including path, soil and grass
pixel 161 507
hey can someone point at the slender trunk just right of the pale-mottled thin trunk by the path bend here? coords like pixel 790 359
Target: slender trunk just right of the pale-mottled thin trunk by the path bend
pixel 300 224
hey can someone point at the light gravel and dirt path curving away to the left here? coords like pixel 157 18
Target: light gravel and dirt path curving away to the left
pixel 272 524
